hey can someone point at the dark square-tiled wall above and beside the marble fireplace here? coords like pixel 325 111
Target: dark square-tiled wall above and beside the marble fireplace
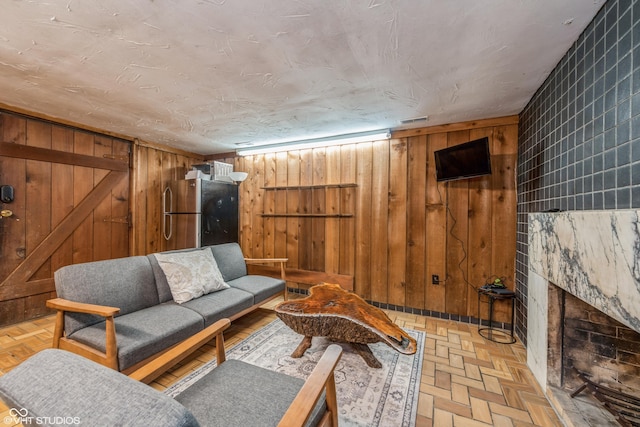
pixel 579 143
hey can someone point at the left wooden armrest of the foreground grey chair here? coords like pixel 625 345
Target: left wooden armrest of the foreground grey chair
pixel 159 365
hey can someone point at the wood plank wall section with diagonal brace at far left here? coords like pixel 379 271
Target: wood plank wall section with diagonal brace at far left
pixel 71 205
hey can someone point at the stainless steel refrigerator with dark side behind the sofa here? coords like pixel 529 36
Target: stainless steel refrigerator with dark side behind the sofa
pixel 198 212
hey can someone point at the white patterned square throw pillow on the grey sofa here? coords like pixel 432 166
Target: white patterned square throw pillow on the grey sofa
pixel 191 274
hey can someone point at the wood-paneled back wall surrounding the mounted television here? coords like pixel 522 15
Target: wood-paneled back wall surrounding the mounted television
pixel 405 226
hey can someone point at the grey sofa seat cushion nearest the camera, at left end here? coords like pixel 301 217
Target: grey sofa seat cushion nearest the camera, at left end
pixel 145 332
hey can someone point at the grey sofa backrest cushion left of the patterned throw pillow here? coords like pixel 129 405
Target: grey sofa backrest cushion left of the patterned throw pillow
pixel 127 283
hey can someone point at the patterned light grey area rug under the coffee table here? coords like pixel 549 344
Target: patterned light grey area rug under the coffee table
pixel 366 396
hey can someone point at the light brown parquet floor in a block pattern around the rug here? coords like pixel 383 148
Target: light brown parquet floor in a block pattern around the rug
pixel 467 381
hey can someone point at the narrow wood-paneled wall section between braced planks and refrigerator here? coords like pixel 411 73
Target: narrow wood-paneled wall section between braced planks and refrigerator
pixel 154 167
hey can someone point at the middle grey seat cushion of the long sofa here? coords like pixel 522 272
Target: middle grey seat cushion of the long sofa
pixel 218 305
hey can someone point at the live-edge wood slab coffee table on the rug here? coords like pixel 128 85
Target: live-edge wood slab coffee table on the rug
pixel 330 311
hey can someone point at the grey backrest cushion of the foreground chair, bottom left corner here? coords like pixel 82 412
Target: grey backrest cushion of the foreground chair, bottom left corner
pixel 56 383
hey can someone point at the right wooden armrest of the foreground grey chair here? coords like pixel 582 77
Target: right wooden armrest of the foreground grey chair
pixel 320 379
